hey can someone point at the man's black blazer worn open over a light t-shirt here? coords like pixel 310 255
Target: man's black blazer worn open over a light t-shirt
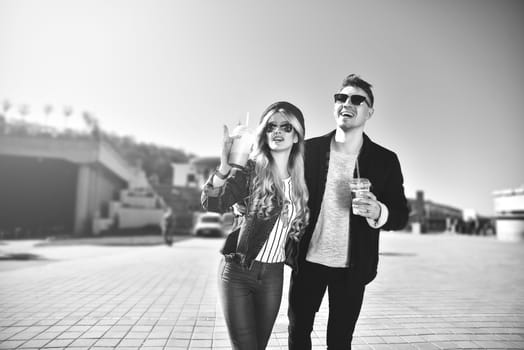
pixel 381 166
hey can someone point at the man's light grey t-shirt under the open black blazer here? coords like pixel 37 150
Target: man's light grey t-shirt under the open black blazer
pixel 329 243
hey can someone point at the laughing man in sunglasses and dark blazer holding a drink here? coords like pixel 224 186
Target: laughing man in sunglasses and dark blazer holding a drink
pixel 339 250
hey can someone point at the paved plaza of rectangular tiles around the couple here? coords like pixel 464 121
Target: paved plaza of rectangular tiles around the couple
pixel 433 292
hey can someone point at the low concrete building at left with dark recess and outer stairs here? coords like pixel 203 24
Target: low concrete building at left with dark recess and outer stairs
pixel 59 184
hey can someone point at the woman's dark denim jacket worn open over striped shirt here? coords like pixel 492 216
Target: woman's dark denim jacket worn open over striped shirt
pixel 244 243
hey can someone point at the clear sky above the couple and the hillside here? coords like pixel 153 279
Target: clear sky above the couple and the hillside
pixel 448 75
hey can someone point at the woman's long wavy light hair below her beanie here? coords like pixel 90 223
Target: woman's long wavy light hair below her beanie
pixel 268 188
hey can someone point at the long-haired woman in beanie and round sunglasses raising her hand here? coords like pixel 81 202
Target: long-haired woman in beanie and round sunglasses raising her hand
pixel 273 191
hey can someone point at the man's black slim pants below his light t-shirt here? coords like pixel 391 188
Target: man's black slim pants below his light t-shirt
pixel 306 292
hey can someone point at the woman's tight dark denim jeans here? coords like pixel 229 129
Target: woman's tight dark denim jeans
pixel 250 301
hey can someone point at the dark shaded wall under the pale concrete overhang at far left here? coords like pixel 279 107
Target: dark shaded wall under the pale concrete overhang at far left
pixel 37 195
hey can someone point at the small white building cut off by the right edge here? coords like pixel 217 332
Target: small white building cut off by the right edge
pixel 509 214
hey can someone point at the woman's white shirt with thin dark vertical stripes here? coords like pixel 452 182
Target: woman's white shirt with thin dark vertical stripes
pixel 273 250
